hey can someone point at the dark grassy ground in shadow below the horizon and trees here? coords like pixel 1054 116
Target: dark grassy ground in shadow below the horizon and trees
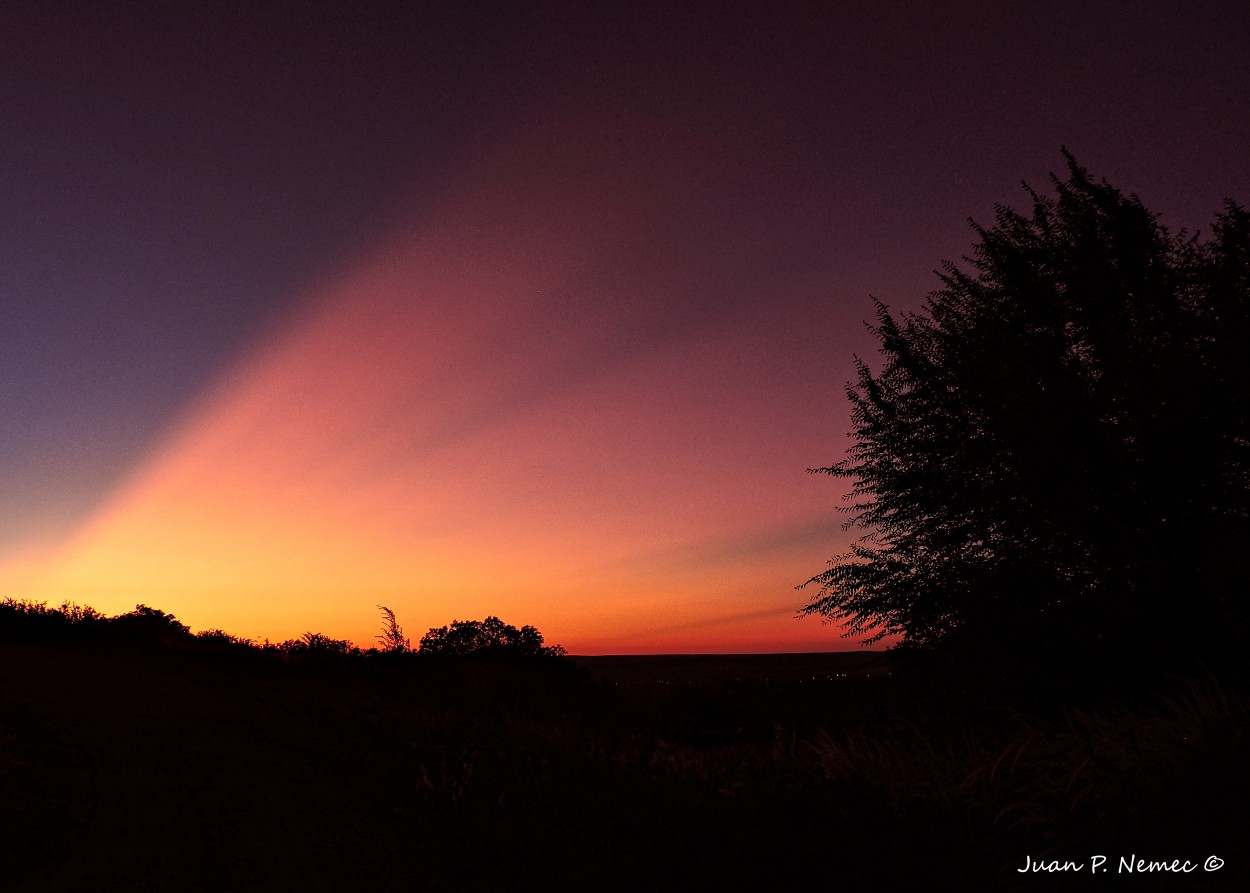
pixel 199 765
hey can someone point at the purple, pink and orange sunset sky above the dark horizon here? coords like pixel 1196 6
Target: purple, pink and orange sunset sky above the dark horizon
pixel 531 310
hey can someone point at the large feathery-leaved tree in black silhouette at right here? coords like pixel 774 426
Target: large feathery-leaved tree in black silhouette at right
pixel 1056 448
